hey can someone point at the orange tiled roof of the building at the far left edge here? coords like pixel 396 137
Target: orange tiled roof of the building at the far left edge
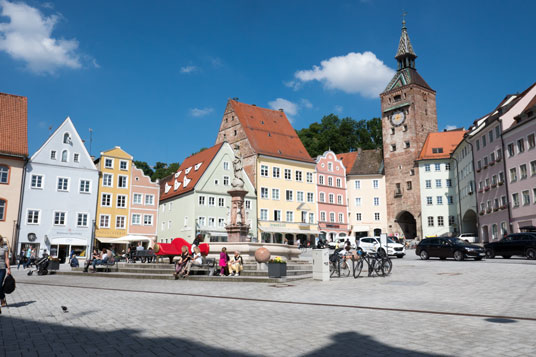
pixel 13 124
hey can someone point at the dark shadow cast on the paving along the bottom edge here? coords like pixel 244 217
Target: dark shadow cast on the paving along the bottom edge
pixel 51 339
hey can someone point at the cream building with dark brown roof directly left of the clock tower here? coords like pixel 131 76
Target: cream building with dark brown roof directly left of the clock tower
pixel 366 189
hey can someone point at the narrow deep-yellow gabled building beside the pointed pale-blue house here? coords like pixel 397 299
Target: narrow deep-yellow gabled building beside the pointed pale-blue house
pixel 113 204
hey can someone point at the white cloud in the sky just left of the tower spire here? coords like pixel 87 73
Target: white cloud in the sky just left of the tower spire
pixel 361 73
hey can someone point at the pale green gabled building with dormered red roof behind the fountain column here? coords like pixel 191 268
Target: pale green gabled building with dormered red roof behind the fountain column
pixel 195 200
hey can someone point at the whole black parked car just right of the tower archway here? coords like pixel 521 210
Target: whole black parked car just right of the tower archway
pixel 443 248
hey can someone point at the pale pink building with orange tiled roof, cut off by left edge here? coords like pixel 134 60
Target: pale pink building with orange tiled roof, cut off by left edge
pixel 13 156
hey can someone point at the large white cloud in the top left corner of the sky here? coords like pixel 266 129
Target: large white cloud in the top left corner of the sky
pixel 27 37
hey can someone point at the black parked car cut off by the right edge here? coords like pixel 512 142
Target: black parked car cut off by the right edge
pixel 523 244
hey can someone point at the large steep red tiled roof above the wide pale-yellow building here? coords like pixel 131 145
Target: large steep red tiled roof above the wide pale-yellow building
pixel 270 133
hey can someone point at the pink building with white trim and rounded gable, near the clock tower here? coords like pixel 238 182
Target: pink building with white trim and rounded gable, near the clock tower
pixel 331 193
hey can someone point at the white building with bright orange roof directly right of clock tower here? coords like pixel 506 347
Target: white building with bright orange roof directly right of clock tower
pixel 439 199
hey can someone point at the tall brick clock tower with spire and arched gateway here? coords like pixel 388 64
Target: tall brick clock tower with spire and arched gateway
pixel 408 115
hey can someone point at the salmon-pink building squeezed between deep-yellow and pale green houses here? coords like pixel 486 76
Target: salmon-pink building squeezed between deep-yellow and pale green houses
pixel 144 201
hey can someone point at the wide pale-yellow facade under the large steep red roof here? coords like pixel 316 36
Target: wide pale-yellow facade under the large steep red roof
pixel 286 200
